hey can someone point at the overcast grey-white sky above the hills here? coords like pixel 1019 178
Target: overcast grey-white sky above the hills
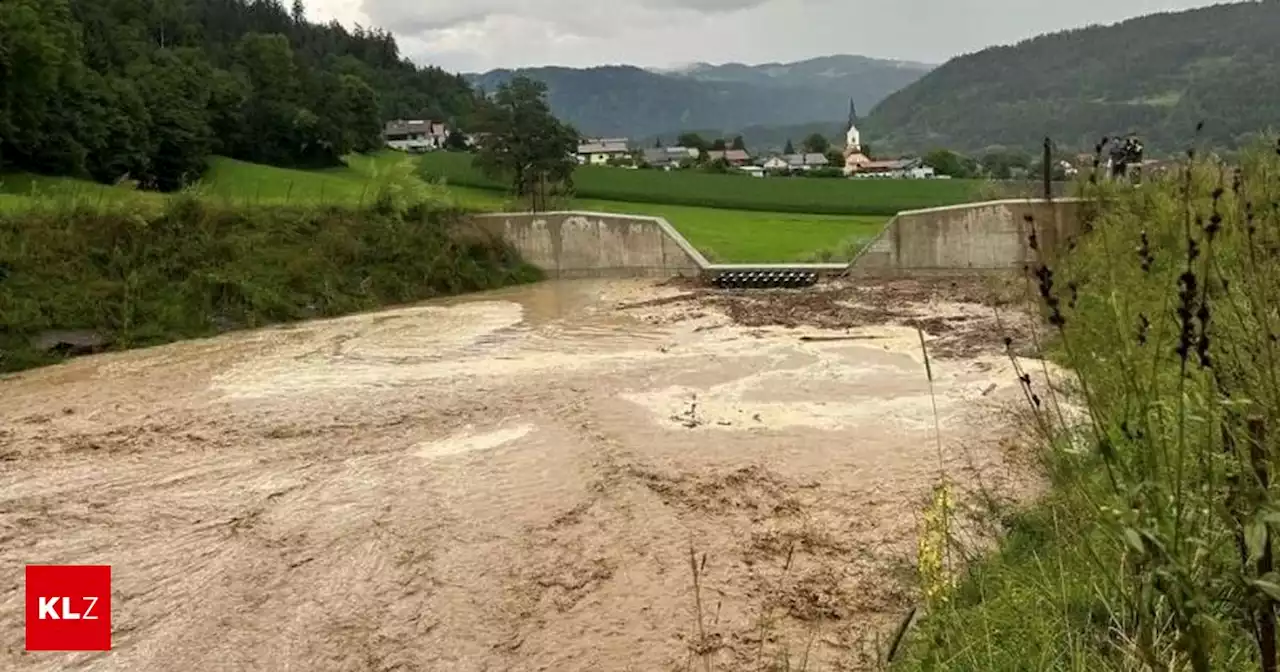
pixel 481 35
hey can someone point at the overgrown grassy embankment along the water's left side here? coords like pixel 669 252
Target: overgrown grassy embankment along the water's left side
pixel 193 269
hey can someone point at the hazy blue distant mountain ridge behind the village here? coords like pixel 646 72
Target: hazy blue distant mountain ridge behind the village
pixel 624 100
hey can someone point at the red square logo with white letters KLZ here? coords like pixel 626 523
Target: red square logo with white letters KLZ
pixel 68 609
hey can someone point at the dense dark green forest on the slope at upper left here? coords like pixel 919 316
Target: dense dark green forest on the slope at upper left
pixel 148 90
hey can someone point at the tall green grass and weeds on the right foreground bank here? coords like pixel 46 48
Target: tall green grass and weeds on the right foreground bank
pixel 1155 547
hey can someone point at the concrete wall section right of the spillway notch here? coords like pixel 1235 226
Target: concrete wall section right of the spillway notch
pixel 988 236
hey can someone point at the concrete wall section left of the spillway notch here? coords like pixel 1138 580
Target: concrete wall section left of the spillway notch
pixel 596 245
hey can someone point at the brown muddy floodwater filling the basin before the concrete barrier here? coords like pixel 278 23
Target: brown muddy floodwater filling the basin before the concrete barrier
pixel 511 481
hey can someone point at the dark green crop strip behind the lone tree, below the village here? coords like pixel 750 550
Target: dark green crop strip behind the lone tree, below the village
pixel 822 196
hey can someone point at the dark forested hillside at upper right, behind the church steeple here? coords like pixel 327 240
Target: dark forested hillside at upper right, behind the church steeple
pixel 1156 76
